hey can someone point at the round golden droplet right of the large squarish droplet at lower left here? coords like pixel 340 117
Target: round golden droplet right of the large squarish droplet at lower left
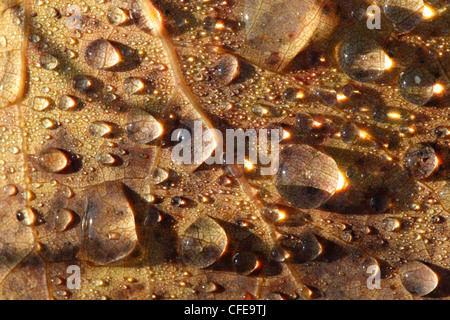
pixel 203 243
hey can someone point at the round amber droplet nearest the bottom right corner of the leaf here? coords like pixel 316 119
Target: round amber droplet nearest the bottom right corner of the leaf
pixel 418 278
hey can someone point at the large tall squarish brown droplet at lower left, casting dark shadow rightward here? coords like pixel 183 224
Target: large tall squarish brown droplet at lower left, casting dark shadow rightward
pixel 108 224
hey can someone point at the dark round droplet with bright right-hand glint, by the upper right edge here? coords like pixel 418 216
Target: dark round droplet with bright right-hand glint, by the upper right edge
pixel 416 85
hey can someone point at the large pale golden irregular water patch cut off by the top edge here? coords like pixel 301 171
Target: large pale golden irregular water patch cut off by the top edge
pixel 274 35
